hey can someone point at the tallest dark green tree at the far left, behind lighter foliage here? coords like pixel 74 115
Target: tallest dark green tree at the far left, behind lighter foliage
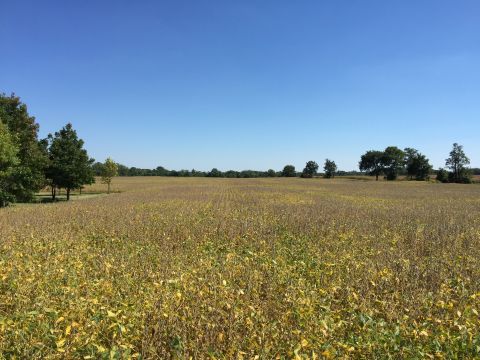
pixel 28 176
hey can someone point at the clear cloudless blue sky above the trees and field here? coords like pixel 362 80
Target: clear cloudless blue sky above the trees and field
pixel 248 84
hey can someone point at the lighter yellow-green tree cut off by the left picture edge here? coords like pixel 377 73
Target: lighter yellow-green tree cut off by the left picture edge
pixel 8 160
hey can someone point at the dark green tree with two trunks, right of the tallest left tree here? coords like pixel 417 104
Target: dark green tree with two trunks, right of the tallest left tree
pixel 70 166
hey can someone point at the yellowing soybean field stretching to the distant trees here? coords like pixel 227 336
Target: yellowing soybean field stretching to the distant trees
pixel 244 268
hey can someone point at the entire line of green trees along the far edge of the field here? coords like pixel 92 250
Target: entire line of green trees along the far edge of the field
pixel 29 164
